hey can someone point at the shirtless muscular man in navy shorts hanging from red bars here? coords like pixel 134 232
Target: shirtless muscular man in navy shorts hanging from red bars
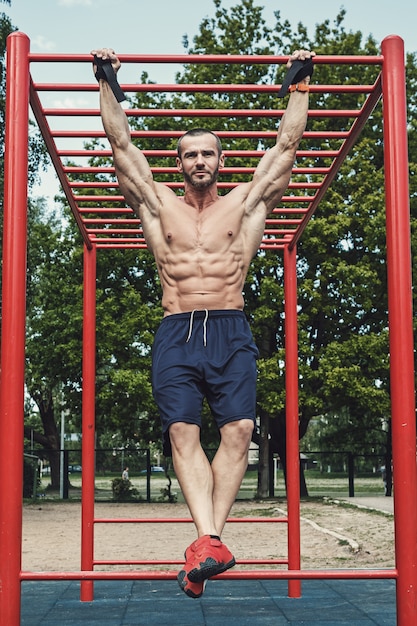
pixel 203 244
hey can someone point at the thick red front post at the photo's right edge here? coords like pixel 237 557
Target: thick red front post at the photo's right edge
pixel 403 406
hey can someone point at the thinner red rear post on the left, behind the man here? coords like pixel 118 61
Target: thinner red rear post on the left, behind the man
pixel 88 420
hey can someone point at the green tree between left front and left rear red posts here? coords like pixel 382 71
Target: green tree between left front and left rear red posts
pixel 54 326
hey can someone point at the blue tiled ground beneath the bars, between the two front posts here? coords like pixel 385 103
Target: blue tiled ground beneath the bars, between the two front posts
pixel 224 603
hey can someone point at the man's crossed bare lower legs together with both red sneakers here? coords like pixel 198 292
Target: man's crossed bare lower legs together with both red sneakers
pixel 209 504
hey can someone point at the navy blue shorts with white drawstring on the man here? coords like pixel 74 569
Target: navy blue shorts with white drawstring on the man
pixel 204 354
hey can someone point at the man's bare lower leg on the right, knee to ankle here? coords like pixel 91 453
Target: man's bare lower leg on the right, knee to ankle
pixel 229 467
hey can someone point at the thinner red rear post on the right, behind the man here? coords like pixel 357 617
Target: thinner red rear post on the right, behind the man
pixel 291 407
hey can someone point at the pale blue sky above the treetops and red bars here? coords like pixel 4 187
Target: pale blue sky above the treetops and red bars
pixel 78 26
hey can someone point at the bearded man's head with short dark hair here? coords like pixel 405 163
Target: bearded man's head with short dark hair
pixel 200 161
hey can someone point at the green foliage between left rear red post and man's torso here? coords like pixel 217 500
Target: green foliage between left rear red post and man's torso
pixel 128 313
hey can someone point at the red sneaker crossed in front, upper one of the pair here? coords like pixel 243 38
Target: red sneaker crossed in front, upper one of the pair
pixel 207 557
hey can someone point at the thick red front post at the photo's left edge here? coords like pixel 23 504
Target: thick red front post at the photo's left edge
pixel 13 326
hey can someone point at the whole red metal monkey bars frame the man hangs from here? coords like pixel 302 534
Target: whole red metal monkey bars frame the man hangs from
pixel 106 222
